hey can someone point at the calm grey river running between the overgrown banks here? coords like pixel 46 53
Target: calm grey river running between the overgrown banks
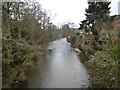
pixel 62 69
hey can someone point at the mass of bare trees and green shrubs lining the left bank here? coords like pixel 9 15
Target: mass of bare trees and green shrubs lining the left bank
pixel 22 37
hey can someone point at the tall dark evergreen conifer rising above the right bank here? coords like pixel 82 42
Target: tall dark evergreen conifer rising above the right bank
pixel 96 13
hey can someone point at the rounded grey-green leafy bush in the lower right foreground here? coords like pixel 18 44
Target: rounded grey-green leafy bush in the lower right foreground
pixel 103 70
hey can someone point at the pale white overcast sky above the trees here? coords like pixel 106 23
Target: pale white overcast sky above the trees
pixel 71 10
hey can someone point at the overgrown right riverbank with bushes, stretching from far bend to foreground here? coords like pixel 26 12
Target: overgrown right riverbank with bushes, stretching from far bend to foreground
pixel 102 64
